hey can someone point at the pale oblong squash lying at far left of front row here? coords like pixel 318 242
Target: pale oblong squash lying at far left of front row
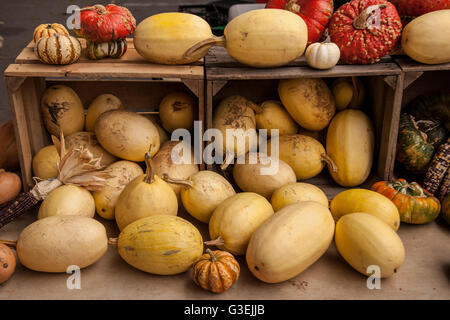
pixel 55 243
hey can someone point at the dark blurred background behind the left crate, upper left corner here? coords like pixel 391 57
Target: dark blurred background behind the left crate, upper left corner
pixel 18 18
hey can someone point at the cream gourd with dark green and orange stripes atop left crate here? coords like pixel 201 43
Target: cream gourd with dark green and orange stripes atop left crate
pixel 58 49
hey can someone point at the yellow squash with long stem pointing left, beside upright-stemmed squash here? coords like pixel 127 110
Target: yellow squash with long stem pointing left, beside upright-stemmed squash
pixel 202 192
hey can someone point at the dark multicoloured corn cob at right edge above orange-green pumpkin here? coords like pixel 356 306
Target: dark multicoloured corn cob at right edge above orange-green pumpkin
pixel 438 168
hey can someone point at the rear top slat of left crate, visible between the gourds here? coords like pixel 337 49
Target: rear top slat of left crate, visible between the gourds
pixel 131 56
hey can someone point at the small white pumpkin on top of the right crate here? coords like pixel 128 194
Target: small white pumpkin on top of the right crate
pixel 324 55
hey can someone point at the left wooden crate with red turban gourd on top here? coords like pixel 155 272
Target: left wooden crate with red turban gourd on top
pixel 139 84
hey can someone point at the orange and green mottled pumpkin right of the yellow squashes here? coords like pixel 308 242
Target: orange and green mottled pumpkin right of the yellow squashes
pixel 415 204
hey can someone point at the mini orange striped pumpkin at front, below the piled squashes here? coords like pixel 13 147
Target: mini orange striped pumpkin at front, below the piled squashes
pixel 216 271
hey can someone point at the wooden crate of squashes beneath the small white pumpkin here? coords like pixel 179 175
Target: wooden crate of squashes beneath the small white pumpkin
pixel 384 80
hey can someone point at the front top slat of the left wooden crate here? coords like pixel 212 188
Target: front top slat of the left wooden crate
pixel 105 70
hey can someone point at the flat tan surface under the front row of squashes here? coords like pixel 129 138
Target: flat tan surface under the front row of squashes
pixel 424 275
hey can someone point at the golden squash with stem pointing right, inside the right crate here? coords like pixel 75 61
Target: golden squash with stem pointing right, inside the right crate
pixel 304 154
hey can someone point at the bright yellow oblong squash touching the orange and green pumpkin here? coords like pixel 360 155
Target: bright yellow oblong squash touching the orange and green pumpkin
pixel 363 200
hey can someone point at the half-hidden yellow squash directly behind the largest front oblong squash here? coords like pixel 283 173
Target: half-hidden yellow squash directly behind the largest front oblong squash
pixel 297 192
